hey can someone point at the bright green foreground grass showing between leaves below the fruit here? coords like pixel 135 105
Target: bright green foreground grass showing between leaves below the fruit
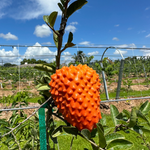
pixel 79 143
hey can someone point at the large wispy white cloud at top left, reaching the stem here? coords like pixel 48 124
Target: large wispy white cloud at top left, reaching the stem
pixel 31 9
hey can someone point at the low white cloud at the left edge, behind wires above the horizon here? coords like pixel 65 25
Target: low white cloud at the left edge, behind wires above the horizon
pixel 10 56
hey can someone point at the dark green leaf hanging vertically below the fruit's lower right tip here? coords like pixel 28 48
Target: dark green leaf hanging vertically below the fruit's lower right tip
pixel 101 137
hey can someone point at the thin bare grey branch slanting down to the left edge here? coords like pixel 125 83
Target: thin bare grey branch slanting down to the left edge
pixel 25 119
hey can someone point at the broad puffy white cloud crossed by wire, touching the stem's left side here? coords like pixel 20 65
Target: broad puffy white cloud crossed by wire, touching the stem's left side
pixel 37 50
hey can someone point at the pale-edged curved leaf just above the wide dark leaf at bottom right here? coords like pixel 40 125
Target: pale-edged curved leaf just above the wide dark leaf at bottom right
pixel 113 136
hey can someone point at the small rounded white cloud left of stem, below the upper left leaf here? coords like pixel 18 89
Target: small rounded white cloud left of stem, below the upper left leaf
pixel 42 31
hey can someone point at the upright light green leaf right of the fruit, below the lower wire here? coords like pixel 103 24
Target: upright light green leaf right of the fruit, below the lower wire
pixel 114 112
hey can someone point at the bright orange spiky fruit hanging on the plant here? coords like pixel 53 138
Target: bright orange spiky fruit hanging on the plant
pixel 75 90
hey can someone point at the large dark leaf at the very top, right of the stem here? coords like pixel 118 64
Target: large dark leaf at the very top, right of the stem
pixel 75 6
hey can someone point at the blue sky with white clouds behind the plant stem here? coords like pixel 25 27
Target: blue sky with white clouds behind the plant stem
pixel 124 23
